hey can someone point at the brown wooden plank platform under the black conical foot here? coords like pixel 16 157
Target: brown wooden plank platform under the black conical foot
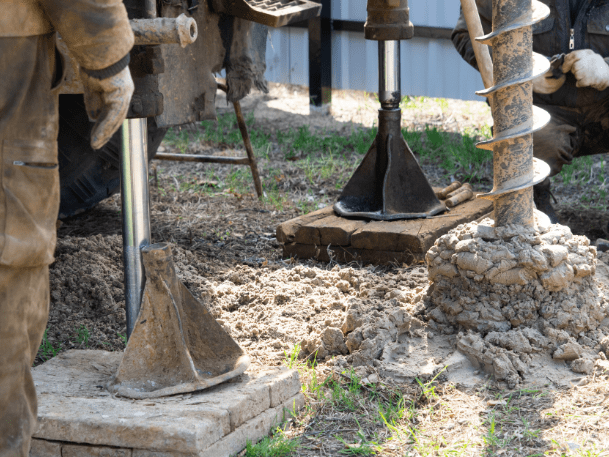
pixel 324 236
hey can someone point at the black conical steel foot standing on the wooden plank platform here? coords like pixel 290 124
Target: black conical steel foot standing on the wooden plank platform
pixel 389 183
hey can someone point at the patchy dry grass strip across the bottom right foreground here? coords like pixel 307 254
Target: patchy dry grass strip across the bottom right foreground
pixel 344 417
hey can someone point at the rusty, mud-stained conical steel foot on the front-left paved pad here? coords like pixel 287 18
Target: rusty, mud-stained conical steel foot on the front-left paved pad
pixel 176 345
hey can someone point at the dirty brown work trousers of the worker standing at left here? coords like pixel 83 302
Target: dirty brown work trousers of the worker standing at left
pixel 29 202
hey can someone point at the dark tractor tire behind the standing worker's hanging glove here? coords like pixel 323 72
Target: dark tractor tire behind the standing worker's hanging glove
pixel 88 176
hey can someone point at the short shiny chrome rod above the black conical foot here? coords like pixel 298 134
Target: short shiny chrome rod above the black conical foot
pixel 389 74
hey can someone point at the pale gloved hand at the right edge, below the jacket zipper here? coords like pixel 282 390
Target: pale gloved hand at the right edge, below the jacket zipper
pixel 589 68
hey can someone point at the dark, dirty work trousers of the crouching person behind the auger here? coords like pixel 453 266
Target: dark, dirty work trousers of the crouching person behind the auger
pixel 572 132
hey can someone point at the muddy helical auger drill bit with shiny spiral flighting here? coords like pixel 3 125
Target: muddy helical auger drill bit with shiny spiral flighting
pixel 515 65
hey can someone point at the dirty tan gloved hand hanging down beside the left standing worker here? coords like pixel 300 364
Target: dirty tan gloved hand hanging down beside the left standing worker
pixel 107 102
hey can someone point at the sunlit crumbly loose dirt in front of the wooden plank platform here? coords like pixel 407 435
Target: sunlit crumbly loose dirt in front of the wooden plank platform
pixel 338 312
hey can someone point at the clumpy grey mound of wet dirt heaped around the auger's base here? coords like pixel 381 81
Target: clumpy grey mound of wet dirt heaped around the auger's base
pixel 522 295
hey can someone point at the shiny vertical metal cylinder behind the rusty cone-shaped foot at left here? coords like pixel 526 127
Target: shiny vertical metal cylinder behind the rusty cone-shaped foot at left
pixel 136 213
